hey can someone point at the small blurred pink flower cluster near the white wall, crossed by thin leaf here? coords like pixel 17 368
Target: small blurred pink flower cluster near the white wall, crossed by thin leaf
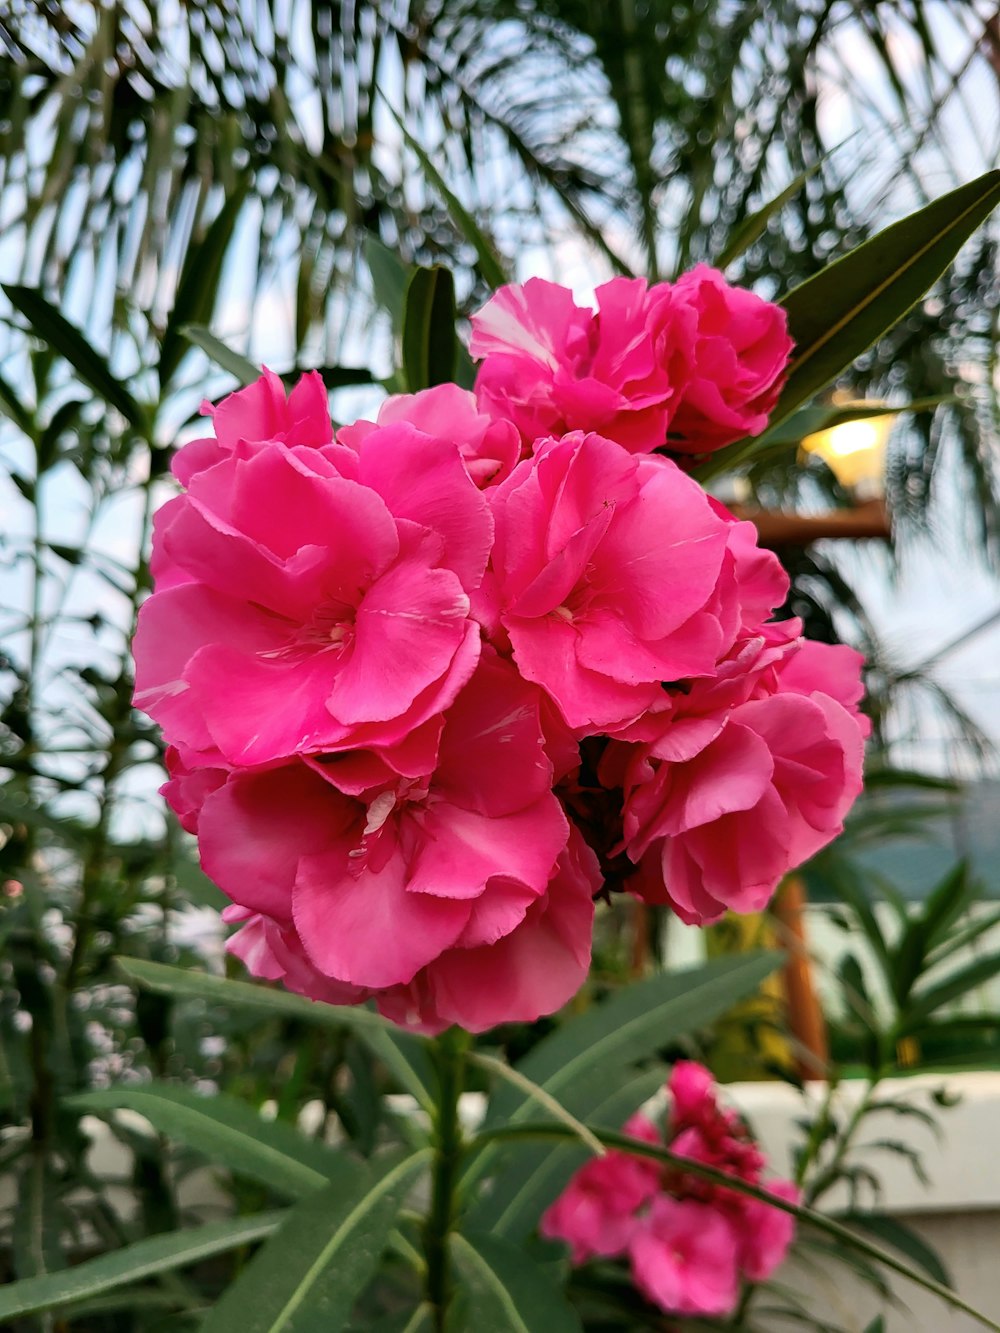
pixel 689 1243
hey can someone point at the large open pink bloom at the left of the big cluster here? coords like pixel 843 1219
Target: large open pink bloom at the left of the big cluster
pixel 313 611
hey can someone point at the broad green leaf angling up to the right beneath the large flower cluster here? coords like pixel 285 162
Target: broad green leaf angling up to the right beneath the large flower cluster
pixel 634 1024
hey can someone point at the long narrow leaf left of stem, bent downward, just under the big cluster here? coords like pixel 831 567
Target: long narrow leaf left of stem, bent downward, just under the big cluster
pixel 403 1054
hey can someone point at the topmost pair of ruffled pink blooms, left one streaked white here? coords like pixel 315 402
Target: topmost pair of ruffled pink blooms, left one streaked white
pixel 691 366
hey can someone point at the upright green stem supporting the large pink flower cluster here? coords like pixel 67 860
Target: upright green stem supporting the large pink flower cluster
pixel 450 1052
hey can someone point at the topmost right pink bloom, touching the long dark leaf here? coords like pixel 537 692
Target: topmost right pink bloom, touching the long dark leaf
pixel 739 349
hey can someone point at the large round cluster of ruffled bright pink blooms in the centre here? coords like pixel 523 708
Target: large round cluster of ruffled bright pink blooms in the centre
pixel 433 680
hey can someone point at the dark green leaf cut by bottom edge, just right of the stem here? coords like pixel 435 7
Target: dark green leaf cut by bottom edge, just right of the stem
pixel 505 1292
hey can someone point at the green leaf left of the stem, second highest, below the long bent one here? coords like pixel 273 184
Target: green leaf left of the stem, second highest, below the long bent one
pixel 226 1131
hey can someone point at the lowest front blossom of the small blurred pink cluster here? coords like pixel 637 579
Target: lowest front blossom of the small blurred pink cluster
pixel 685 1258
